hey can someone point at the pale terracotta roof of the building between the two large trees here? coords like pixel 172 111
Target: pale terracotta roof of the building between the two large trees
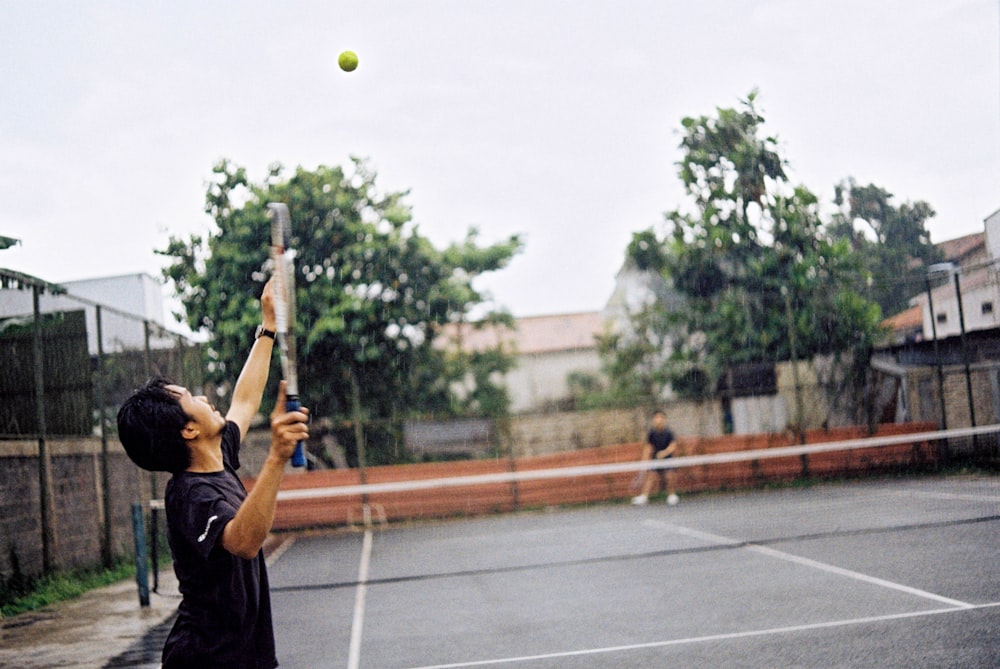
pixel 535 334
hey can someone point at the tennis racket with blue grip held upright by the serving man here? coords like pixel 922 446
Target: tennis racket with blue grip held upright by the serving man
pixel 283 271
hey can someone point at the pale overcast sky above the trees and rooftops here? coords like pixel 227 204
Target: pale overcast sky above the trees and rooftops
pixel 556 120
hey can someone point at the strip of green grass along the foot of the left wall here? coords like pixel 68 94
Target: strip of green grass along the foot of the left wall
pixel 35 593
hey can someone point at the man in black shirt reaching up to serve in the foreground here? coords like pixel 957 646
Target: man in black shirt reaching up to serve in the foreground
pixel 215 528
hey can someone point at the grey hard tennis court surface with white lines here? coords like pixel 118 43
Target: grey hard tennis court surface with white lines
pixel 894 572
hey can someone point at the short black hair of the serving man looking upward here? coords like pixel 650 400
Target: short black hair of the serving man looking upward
pixel 150 422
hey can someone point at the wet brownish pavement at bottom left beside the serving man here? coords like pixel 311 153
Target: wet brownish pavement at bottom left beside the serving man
pixel 103 628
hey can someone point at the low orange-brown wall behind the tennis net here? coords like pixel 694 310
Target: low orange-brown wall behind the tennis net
pixel 502 497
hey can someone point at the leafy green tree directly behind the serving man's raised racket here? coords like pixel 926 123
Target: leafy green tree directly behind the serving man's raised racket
pixel 372 293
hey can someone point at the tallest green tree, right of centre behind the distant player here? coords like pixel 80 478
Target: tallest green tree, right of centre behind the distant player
pixel 758 276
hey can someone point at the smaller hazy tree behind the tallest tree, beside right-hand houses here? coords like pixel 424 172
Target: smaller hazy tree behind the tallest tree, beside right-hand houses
pixel 891 241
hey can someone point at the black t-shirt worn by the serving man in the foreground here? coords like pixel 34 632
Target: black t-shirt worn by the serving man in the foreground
pixel 224 619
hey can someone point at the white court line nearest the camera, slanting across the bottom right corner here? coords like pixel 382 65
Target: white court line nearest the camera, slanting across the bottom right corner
pixel 704 639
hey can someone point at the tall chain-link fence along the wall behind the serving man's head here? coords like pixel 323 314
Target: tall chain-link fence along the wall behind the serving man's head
pixel 66 364
